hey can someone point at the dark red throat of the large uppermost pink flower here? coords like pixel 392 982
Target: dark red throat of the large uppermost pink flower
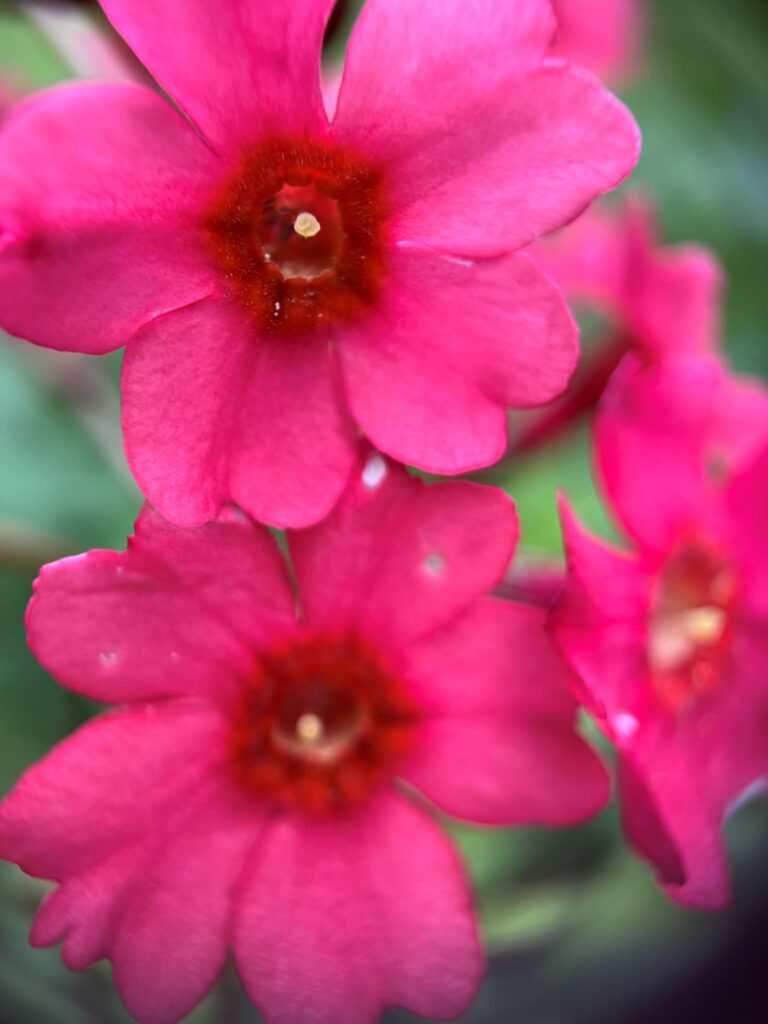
pixel 298 233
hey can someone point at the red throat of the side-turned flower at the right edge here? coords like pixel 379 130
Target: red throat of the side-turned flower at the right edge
pixel 692 623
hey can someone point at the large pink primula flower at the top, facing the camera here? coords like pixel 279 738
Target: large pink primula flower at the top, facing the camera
pixel 283 282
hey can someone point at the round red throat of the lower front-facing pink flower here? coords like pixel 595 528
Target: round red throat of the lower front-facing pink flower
pixel 322 723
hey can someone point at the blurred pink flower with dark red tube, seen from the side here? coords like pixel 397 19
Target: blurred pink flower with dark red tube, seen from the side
pixel 658 302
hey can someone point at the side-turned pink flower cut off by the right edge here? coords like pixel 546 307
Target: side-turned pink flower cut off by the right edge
pixel 669 641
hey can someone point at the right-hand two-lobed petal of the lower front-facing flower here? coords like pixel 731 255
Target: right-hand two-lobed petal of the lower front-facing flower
pixel 503 748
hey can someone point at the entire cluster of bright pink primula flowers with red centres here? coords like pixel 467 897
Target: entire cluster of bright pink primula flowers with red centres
pixel 309 304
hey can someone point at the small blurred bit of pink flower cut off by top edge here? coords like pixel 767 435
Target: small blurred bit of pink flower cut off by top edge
pixel 602 35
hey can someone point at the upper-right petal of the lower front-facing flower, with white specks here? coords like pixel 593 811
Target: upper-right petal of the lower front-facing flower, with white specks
pixel 446 546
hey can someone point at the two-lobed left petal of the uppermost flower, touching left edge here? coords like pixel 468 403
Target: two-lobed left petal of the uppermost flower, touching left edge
pixel 99 185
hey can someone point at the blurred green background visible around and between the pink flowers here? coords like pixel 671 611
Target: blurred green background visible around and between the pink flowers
pixel 577 930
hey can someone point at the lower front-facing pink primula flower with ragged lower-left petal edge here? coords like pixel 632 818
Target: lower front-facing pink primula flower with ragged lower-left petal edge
pixel 263 789
